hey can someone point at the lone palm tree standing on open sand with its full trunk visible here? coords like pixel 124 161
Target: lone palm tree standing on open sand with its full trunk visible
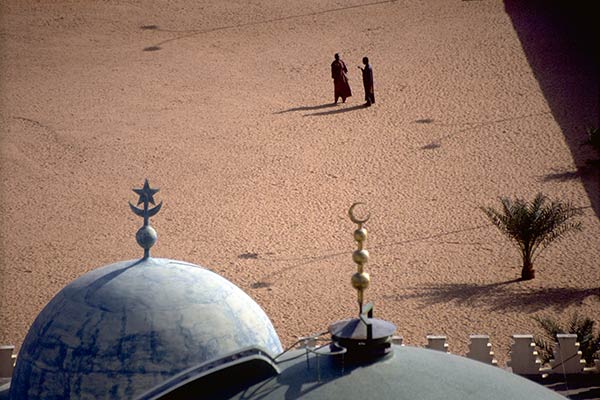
pixel 533 226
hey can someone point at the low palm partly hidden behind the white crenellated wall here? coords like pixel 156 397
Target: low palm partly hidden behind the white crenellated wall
pixel 589 345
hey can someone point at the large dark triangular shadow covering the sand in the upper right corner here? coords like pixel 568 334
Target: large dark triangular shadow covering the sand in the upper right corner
pixel 559 39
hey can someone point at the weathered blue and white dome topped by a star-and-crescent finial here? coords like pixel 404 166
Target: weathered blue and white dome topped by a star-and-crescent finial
pixel 122 329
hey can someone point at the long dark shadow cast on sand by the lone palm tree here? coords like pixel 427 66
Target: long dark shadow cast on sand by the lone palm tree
pixel 511 295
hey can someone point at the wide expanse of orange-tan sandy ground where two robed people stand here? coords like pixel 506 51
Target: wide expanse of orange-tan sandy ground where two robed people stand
pixel 226 106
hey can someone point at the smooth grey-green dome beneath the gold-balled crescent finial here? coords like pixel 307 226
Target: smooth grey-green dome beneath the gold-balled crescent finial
pixel 406 373
